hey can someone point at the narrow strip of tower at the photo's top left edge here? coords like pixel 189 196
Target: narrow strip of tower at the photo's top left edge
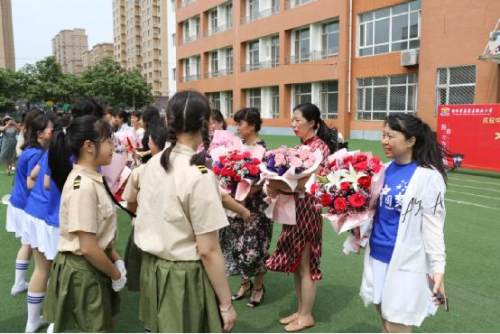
pixel 7 54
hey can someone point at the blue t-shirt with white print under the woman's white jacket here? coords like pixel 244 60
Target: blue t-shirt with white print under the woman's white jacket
pixel 386 220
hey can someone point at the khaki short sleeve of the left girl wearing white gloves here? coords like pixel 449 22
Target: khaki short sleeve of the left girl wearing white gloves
pixel 83 208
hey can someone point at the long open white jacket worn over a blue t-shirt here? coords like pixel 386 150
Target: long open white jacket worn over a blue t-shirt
pixel 419 250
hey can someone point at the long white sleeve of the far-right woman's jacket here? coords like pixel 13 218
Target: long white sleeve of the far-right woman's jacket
pixel 434 213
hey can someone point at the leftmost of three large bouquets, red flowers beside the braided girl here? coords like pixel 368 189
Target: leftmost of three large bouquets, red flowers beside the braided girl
pixel 235 164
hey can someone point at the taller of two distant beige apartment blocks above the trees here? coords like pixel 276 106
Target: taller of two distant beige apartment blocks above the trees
pixel 68 47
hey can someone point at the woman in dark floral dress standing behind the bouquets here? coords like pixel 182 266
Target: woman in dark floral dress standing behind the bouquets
pixel 245 243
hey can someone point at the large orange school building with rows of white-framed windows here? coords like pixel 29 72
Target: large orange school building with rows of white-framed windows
pixel 357 60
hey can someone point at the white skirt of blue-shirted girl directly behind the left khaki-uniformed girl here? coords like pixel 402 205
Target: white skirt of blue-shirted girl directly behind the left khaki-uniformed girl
pixel 41 236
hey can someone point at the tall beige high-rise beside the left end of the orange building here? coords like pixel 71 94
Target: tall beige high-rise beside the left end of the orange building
pixel 141 40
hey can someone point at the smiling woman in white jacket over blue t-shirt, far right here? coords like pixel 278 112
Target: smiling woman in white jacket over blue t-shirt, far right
pixel 405 258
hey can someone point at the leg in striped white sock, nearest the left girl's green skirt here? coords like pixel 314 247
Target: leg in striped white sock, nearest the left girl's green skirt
pixel 36 291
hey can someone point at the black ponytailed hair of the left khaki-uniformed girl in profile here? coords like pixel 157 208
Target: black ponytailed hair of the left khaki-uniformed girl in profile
pixel 67 142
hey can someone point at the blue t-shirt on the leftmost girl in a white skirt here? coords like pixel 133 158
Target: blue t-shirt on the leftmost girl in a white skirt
pixel 27 161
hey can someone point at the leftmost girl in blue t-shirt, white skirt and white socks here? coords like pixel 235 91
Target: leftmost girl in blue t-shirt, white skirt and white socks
pixel 38 132
